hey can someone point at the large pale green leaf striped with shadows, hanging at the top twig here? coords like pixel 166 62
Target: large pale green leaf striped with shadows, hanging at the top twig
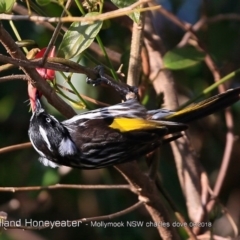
pixel 79 37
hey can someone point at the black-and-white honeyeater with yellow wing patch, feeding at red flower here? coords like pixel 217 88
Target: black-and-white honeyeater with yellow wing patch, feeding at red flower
pixel 113 135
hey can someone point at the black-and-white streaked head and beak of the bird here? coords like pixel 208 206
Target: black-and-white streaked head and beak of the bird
pixel 49 137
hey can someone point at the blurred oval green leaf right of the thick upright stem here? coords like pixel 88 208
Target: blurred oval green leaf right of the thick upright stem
pixel 180 58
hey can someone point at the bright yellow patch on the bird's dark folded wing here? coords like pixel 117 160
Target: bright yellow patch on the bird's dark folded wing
pixel 131 124
